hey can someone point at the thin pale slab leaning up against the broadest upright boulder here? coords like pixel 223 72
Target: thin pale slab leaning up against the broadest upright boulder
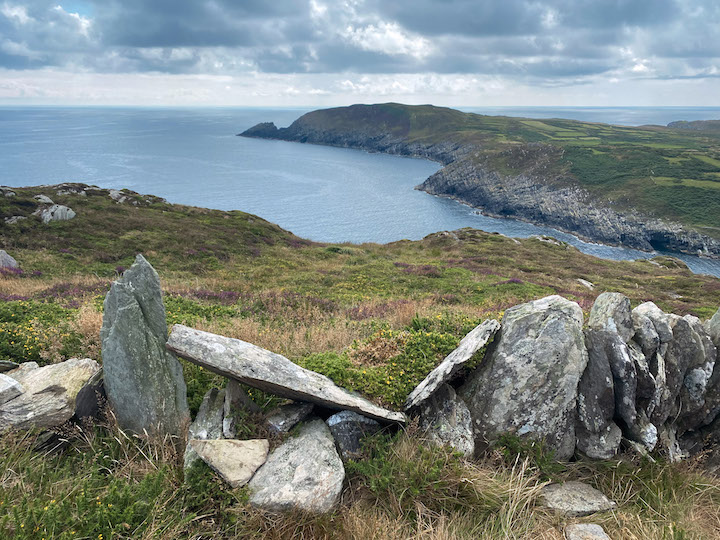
pixel 470 344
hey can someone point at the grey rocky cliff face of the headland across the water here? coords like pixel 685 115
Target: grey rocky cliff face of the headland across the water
pixel 533 190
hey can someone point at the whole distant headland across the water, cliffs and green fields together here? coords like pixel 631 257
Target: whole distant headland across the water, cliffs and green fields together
pixel 648 187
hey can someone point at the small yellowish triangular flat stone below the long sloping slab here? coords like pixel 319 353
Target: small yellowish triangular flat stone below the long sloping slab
pixel 236 461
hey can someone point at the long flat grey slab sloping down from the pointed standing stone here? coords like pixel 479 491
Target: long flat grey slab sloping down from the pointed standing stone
pixel 268 371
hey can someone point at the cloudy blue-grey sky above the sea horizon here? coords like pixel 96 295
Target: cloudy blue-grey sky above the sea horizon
pixel 299 53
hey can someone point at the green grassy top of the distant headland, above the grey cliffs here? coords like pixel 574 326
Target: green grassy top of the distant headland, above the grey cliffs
pixel 670 173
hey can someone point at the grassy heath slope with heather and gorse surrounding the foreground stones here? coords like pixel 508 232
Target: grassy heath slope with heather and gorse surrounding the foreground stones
pixel 375 318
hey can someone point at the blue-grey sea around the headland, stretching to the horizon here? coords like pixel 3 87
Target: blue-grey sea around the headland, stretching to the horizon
pixel 193 156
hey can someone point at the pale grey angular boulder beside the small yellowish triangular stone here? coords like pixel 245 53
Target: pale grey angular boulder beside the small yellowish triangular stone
pixel 305 473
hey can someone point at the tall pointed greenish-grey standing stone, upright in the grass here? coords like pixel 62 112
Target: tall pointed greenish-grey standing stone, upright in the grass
pixel 143 381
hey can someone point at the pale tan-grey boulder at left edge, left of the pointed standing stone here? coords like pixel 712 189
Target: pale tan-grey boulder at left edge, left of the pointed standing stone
pixel 49 392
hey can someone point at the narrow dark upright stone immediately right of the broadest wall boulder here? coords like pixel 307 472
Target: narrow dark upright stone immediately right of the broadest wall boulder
pixel 597 434
